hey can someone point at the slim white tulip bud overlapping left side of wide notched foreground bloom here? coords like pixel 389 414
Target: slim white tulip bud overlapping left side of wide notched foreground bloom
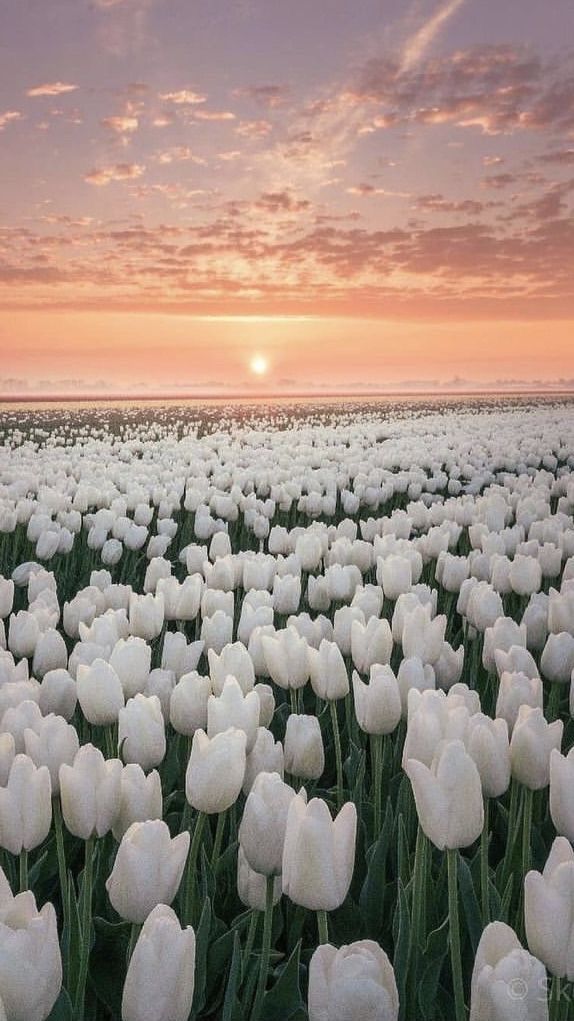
pixel 262 832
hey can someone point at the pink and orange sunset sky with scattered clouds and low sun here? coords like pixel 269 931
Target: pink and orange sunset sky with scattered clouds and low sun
pixel 255 197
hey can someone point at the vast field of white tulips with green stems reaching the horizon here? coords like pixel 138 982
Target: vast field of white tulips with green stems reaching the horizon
pixel 286 712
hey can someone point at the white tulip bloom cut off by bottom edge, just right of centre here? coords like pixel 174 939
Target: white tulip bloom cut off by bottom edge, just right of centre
pixel 352 984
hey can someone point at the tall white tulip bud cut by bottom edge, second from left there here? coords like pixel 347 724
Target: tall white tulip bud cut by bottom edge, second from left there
pixel 161 976
